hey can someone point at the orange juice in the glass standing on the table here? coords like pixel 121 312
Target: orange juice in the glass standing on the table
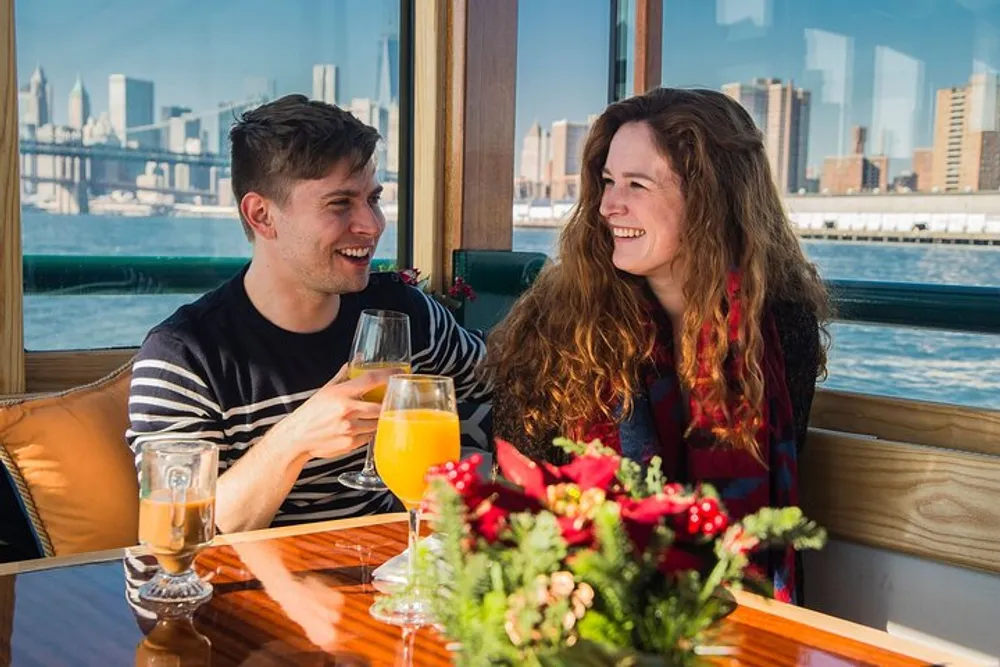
pixel 408 443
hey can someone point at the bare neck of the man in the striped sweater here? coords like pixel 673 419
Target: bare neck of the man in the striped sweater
pixel 287 305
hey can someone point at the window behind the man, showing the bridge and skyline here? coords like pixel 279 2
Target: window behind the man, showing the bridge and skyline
pixel 124 111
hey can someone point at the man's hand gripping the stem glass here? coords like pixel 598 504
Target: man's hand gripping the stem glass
pixel 334 420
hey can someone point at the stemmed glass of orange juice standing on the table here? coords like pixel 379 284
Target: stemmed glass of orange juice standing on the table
pixel 418 429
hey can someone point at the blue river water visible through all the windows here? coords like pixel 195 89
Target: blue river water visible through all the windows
pixel 910 363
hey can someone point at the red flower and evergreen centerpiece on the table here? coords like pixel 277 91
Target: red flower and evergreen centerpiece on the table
pixel 596 562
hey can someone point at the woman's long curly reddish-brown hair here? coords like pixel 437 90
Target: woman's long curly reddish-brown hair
pixel 580 334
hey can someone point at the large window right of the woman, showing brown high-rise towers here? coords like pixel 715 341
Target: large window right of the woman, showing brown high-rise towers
pixel 910 94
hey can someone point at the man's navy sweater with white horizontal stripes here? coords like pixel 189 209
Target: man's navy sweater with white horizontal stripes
pixel 218 370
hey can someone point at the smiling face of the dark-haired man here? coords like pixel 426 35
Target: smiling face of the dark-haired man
pixel 326 231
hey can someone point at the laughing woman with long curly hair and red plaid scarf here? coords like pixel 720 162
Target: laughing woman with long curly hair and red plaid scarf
pixel 682 319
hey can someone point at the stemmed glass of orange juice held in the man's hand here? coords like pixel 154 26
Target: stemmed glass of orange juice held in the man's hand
pixel 382 340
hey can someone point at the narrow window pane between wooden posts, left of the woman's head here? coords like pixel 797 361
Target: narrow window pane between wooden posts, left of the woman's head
pixel 563 54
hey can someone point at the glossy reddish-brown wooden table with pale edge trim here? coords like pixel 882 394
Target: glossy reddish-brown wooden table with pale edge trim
pixel 300 596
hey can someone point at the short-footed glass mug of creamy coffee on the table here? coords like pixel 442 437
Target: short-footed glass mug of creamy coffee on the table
pixel 177 520
